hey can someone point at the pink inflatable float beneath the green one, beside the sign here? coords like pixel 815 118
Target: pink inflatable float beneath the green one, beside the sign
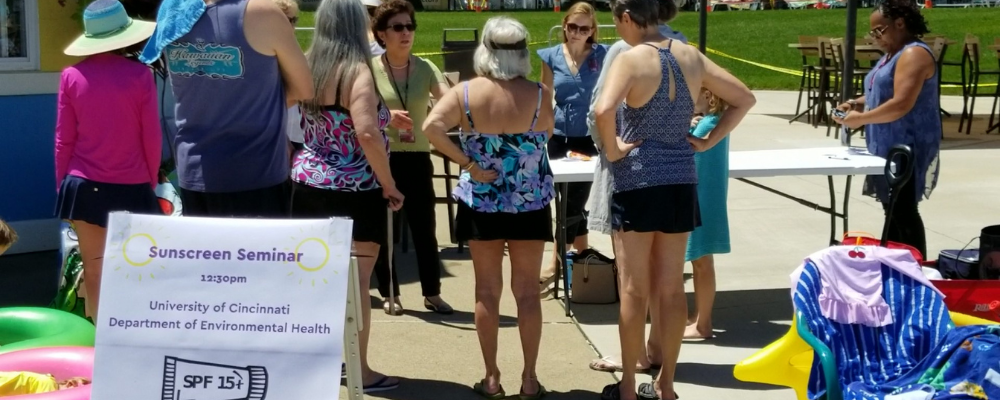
pixel 60 362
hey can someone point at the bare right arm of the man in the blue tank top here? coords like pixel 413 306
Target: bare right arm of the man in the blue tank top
pixel 269 32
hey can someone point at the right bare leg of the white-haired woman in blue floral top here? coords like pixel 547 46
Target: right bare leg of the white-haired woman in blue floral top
pixel 525 261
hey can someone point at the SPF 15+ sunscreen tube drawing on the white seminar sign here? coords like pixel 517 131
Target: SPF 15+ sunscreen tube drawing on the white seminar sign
pixel 197 380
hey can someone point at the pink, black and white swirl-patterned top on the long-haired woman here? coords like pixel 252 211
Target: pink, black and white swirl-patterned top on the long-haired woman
pixel 331 157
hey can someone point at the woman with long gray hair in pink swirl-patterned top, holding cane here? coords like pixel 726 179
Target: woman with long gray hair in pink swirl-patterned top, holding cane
pixel 343 169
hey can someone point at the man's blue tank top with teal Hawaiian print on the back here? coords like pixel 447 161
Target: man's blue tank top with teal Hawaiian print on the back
pixel 230 106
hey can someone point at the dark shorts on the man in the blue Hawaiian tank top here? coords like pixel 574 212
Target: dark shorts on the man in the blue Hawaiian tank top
pixel 269 202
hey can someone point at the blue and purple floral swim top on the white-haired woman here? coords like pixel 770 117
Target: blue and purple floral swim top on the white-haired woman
pixel 524 178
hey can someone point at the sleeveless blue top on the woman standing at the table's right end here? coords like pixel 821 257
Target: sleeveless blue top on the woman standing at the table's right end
pixel 920 128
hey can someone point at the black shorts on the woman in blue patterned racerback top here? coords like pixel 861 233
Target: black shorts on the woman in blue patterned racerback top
pixel 664 208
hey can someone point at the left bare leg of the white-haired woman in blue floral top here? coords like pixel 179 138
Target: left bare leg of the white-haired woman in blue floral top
pixel 487 260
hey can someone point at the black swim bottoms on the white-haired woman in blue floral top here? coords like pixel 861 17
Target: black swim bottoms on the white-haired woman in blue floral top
pixel 474 225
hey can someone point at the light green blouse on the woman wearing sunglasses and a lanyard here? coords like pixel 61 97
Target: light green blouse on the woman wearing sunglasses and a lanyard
pixel 416 93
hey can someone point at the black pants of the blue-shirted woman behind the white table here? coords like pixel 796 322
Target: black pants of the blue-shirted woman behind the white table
pixel 577 193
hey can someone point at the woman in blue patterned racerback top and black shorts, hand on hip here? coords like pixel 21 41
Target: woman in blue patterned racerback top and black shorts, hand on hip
pixel 643 118
